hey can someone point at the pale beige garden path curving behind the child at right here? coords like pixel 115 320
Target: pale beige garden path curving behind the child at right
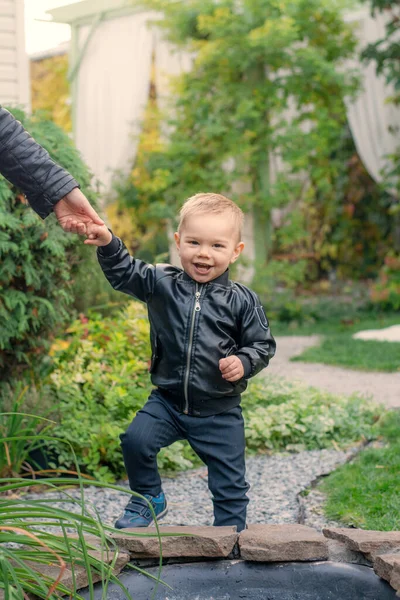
pixel 383 387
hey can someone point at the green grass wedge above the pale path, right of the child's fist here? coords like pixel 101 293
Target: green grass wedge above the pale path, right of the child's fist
pixel 344 351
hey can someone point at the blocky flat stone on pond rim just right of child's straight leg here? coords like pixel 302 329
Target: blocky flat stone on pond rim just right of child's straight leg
pixel 281 543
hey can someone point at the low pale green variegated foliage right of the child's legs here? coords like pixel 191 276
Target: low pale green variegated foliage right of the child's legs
pixel 281 415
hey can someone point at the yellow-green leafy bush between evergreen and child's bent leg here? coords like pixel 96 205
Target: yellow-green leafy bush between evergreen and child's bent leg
pixel 100 380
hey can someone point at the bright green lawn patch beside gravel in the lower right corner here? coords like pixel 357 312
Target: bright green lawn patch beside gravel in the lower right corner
pixel 366 492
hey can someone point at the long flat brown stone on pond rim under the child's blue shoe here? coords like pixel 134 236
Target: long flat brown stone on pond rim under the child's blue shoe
pixel 197 542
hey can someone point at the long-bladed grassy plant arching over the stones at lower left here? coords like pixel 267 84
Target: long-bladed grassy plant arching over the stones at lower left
pixel 41 543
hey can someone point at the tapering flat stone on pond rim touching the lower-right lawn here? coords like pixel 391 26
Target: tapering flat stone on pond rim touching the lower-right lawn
pixel 370 543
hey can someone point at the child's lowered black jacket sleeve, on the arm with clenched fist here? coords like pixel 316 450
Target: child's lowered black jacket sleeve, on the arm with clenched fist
pixel 257 346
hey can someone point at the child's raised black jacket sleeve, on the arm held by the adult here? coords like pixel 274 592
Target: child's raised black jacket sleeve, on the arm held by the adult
pixel 125 273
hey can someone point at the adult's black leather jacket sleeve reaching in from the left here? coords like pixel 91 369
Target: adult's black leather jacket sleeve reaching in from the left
pixel 29 167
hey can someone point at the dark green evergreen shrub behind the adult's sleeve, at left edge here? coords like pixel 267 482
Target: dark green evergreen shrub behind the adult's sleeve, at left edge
pixel 38 261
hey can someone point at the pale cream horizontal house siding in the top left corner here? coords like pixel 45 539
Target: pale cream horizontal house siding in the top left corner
pixel 14 70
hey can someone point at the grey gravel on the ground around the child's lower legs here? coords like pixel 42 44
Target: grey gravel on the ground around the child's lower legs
pixel 275 481
